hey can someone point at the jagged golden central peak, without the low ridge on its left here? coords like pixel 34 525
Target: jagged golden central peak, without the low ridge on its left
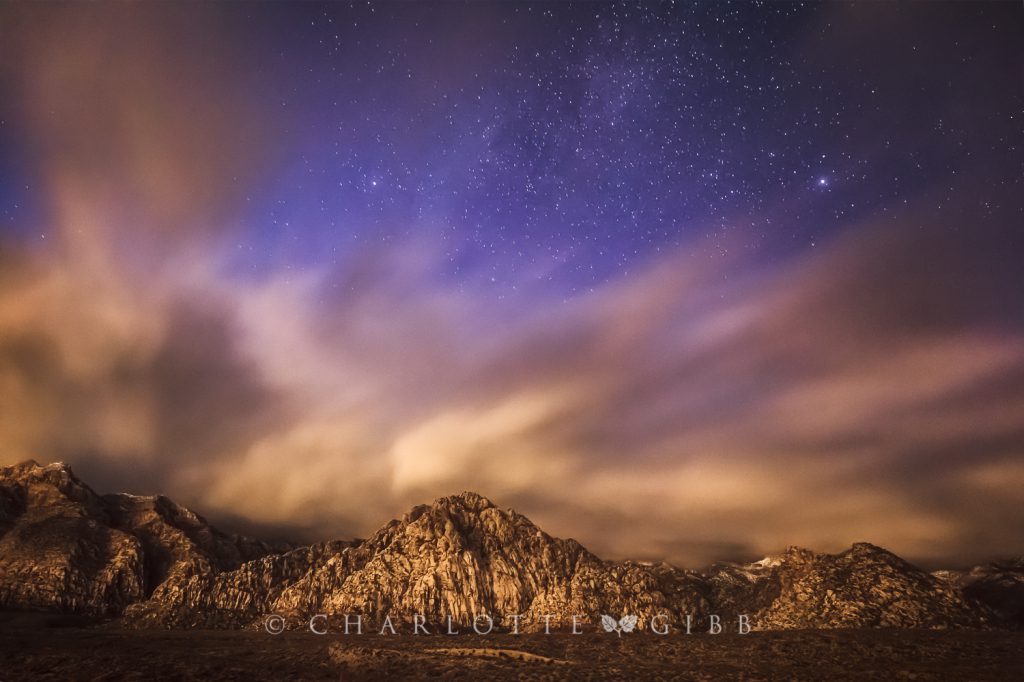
pixel 463 558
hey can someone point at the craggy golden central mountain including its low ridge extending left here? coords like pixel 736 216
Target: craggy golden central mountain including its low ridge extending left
pixel 461 557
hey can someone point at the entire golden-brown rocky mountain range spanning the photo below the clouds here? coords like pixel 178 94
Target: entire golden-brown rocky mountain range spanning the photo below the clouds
pixel 65 548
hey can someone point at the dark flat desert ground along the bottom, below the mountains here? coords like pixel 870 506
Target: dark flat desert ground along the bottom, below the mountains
pixel 48 648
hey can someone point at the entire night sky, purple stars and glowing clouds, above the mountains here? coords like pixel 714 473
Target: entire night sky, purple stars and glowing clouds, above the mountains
pixel 686 282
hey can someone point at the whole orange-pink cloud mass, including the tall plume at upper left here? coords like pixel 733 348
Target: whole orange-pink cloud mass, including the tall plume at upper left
pixel 704 408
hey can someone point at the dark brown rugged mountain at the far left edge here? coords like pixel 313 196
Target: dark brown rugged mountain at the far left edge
pixel 66 548
